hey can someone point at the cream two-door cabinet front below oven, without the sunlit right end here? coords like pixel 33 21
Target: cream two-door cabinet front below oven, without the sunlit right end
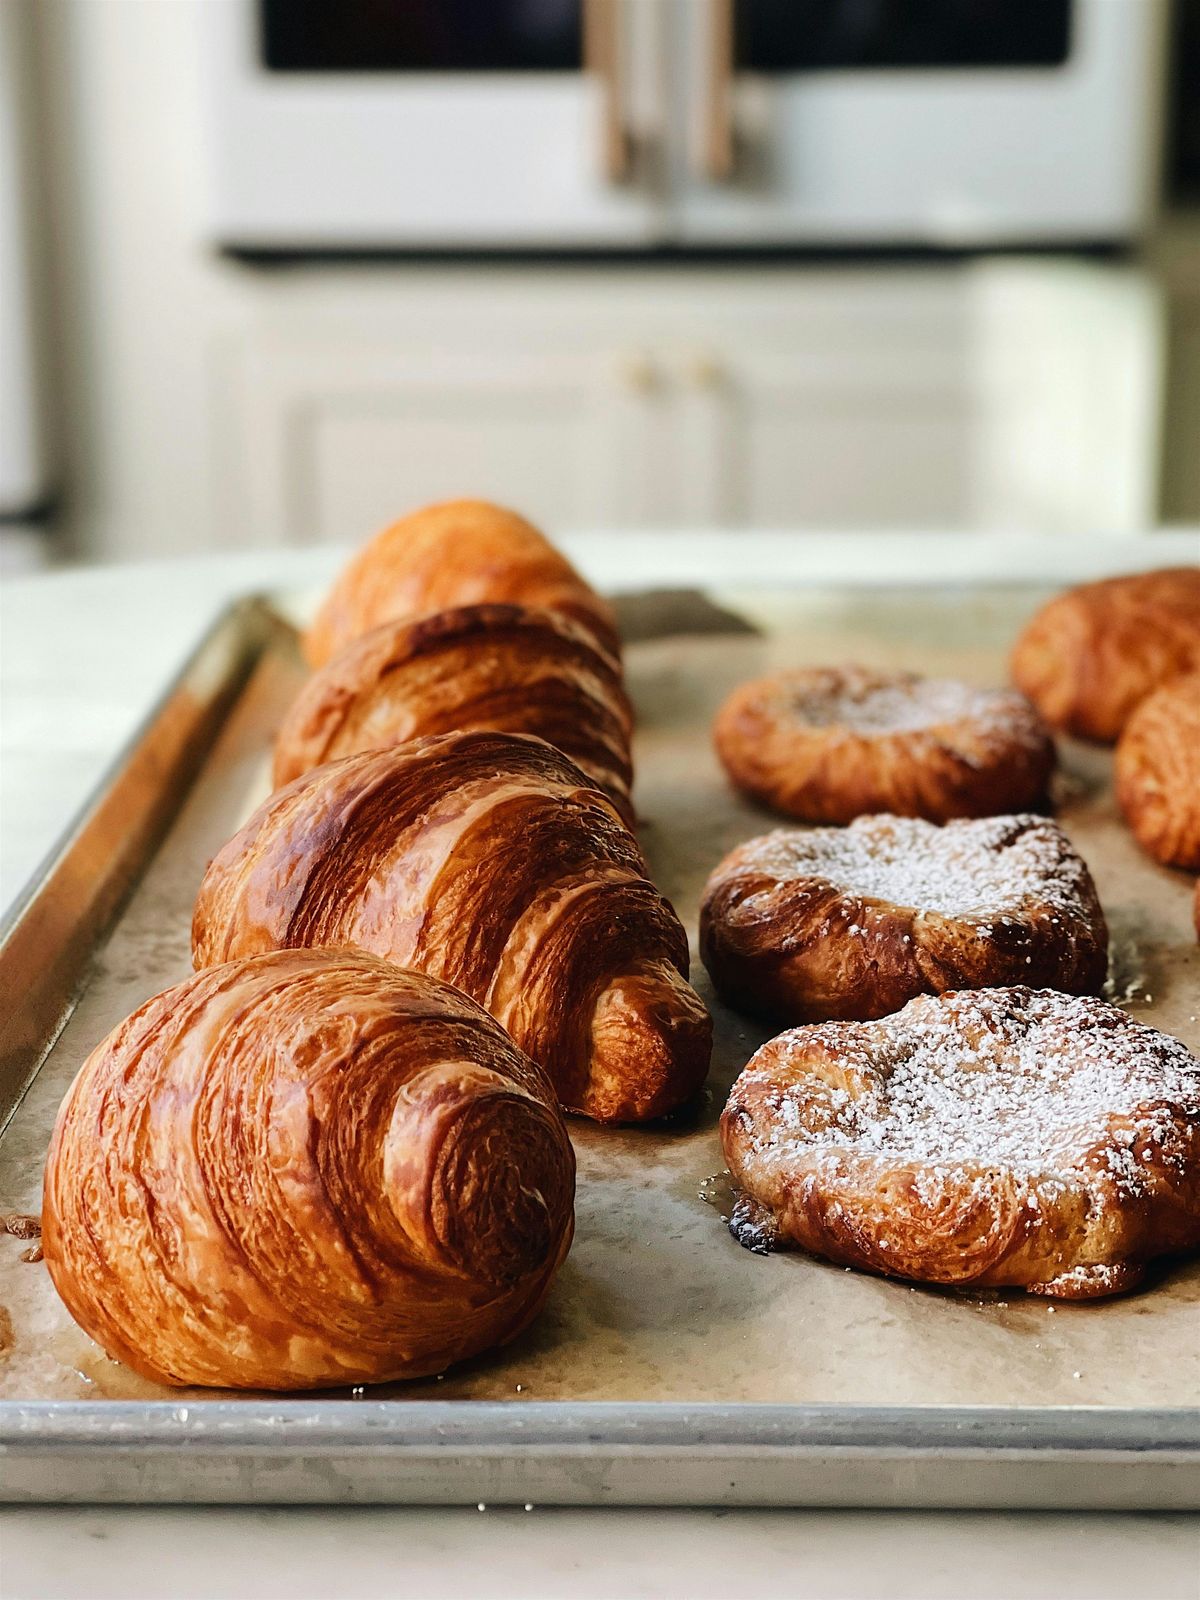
pixel 780 399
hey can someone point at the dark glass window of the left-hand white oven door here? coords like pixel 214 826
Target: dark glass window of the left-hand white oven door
pixel 420 36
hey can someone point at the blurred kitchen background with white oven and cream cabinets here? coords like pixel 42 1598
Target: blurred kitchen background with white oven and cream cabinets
pixel 276 271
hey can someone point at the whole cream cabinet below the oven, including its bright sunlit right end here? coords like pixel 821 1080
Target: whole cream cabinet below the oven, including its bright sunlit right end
pixel 969 396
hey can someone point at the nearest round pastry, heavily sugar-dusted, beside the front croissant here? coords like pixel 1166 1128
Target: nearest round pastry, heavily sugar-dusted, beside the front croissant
pixel 994 1137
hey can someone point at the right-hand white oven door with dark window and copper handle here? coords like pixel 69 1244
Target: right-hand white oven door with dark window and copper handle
pixel 918 122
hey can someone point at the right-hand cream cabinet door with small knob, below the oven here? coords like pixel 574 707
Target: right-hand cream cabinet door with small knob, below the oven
pixel 844 406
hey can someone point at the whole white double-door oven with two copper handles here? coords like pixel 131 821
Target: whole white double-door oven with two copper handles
pixel 687 124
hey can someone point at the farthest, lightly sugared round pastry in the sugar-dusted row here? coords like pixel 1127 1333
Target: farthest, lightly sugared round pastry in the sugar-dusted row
pixel 830 745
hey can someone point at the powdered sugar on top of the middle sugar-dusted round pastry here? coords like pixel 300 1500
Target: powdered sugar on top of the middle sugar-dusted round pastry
pixel 988 868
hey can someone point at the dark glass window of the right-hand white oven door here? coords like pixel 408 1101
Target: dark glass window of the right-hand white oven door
pixel 812 36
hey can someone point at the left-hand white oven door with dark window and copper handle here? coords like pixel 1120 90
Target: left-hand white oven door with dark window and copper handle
pixel 434 124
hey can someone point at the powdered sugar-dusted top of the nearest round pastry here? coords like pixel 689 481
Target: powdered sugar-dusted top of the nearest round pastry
pixel 1033 1082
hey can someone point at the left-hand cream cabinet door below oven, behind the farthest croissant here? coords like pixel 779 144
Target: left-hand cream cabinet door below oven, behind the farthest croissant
pixel 345 434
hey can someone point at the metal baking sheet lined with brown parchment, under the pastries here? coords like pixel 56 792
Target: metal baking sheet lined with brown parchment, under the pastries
pixel 670 1366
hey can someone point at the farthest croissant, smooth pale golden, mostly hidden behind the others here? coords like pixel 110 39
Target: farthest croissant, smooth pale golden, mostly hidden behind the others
pixel 462 553
